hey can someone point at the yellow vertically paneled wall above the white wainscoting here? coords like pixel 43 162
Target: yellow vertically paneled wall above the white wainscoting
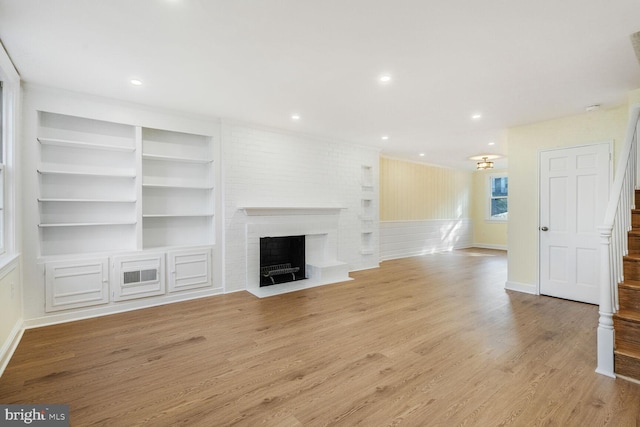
pixel 414 191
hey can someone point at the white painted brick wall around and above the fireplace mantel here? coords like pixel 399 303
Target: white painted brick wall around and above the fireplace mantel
pixel 272 168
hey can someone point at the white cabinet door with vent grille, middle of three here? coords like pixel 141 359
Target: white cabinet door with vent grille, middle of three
pixel 138 276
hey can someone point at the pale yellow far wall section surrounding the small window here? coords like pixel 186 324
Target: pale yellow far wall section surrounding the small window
pixel 486 233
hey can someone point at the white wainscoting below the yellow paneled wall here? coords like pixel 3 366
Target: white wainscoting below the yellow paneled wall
pixel 400 239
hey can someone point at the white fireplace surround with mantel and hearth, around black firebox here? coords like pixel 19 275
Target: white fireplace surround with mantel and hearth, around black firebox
pixel 319 225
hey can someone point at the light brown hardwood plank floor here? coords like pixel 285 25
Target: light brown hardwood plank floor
pixel 432 340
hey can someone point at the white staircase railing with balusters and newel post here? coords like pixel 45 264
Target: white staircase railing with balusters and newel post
pixel 613 241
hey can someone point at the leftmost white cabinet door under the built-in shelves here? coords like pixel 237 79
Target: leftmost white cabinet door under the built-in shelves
pixel 78 283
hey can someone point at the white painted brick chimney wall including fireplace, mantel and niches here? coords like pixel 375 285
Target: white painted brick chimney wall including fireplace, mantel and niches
pixel 317 180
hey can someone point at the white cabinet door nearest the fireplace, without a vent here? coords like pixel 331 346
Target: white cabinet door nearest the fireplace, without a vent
pixel 189 269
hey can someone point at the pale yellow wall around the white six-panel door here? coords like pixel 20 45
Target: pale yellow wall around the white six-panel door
pixel 525 143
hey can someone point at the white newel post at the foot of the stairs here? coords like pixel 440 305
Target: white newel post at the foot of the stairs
pixel 606 334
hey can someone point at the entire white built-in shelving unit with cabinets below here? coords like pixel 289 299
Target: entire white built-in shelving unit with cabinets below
pixel 137 198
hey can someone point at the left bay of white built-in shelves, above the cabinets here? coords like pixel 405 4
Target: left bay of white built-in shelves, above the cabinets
pixel 86 172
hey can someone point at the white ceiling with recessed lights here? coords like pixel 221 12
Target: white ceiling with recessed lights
pixel 516 62
